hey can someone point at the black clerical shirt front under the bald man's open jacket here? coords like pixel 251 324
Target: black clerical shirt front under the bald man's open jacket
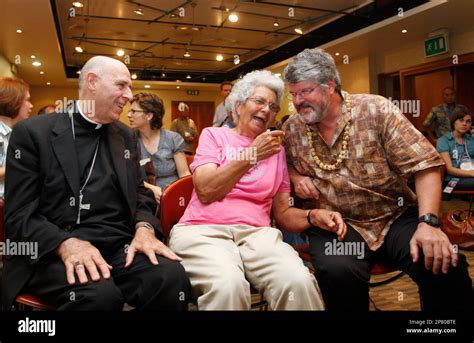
pixel 105 224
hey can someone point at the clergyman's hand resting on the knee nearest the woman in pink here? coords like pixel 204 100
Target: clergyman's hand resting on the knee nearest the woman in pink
pixel 146 242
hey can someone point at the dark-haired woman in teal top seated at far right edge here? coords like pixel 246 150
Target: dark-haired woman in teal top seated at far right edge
pixel 457 150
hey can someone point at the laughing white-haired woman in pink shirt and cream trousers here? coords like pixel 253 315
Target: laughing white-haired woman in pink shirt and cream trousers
pixel 224 237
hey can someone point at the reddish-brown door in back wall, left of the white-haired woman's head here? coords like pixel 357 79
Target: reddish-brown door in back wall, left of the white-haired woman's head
pixel 202 112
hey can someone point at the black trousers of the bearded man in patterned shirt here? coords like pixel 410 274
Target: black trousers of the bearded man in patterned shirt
pixel 344 278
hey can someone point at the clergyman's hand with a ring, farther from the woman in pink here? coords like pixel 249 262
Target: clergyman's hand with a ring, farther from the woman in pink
pixel 79 256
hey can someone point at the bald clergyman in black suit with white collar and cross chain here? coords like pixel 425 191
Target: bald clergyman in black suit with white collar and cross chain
pixel 73 187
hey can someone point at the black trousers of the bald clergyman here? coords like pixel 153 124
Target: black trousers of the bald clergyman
pixel 143 285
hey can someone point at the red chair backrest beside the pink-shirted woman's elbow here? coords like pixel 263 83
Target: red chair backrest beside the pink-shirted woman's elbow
pixel 174 201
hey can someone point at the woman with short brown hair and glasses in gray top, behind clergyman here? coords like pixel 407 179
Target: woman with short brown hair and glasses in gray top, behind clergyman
pixel 161 147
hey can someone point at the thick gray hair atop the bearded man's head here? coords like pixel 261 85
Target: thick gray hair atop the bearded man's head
pixel 312 65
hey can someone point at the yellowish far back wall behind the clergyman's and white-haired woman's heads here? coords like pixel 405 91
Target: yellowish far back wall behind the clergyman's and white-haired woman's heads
pixel 41 96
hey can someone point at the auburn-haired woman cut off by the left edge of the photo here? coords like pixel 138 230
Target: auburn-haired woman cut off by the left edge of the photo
pixel 14 106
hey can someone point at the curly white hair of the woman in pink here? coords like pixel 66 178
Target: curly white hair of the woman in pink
pixel 245 87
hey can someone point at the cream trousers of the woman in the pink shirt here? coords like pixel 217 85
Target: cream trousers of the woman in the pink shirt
pixel 221 261
